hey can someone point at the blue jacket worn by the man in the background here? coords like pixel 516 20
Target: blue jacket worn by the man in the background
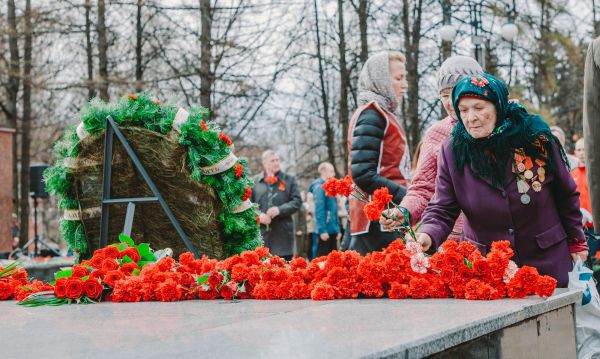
pixel 326 211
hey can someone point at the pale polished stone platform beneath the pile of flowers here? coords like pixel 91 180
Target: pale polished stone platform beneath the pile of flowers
pixel 363 328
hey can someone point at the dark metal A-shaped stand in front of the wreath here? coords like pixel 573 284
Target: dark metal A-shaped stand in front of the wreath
pixel 112 129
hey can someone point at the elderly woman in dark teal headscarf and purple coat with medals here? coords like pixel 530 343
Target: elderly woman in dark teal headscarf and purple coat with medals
pixel 505 170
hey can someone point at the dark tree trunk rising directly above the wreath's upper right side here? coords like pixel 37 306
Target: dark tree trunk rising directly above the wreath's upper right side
pixel 206 76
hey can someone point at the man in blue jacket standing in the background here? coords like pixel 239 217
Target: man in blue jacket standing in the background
pixel 327 224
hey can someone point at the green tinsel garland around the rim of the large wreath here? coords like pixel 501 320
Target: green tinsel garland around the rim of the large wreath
pixel 205 146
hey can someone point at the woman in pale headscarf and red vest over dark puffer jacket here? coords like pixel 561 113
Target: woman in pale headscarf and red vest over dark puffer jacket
pixel 377 146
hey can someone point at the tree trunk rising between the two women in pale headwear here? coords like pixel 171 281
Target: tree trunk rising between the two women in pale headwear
pixel 412 37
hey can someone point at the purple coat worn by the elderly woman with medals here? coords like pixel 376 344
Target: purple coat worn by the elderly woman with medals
pixel 538 232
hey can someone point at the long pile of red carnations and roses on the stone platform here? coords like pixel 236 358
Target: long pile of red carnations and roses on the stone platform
pixel 458 270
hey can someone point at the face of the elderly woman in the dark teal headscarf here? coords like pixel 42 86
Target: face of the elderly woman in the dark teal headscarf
pixel 478 116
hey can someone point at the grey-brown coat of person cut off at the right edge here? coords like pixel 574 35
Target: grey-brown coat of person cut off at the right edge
pixel 591 125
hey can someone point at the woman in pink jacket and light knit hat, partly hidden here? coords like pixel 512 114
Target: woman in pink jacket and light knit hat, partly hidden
pixel 422 184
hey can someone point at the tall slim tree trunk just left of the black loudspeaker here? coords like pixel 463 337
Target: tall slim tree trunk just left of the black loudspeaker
pixel 26 129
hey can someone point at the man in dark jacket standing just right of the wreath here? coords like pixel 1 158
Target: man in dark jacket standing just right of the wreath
pixel 278 198
